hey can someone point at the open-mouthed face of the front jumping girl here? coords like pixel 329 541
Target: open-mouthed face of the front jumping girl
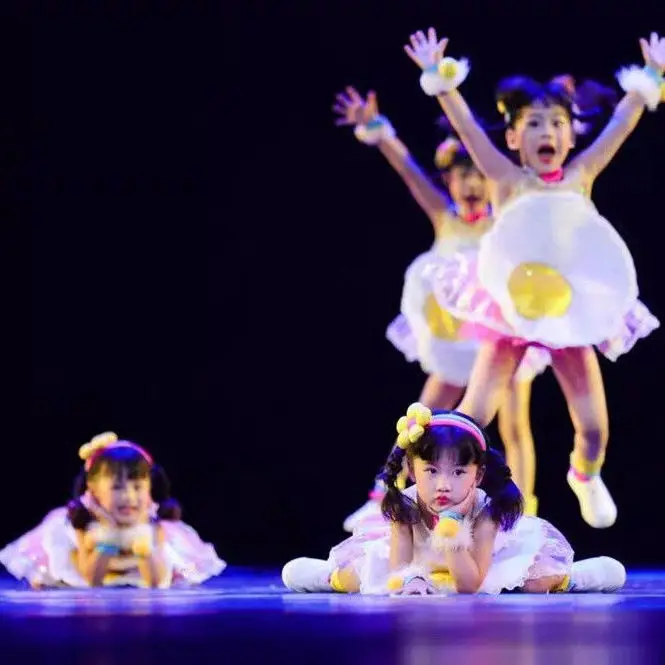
pixel 543 136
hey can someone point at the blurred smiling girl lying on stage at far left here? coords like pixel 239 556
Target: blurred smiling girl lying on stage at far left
pixel 122 529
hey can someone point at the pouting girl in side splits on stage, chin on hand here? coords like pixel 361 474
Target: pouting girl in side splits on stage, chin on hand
pixel 458 529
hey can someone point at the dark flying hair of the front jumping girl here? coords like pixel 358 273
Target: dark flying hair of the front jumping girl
pixel 589 103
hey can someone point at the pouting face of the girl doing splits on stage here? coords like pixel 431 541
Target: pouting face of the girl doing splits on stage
pixel 445 483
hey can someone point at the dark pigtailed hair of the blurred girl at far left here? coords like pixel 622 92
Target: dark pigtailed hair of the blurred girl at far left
pixel 117 460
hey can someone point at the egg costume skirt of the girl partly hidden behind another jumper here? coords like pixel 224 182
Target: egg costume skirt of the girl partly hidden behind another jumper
pixel 426 333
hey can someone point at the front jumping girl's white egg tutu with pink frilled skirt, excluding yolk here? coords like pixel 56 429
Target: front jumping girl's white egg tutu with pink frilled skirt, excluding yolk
pixel 562 232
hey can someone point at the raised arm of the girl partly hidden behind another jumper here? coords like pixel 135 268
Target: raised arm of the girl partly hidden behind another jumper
pixel 373 129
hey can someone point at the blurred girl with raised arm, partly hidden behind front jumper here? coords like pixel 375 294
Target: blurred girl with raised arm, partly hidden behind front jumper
pixel 460 216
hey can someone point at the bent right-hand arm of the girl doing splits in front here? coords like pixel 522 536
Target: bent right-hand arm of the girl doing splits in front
pixel 468 567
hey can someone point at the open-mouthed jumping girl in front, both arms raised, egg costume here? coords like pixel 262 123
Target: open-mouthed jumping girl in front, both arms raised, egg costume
pixel 552 272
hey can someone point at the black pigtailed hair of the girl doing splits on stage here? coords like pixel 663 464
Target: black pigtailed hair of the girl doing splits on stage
pixel 506 505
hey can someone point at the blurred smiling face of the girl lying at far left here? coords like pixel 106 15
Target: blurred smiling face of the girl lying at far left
pixel 127 501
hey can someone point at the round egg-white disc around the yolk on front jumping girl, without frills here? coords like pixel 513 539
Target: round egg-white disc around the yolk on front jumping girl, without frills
pixel 563 231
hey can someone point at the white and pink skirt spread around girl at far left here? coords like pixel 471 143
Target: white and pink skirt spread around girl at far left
pixel 43 556
